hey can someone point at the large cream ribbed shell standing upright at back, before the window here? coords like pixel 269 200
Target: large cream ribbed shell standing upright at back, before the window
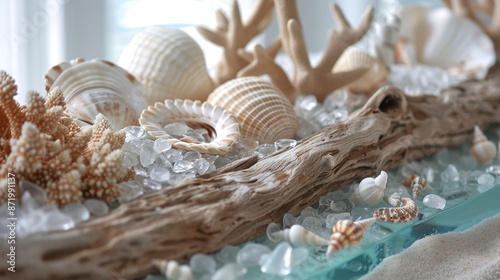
pixel 169 64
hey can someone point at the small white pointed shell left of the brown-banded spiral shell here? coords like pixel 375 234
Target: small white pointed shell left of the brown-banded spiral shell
pixel 299 236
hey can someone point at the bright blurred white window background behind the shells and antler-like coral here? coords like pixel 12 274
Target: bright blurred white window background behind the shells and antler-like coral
pixel 42 33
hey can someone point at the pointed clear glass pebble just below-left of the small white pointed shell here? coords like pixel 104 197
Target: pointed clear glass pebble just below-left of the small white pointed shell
pixel 279 262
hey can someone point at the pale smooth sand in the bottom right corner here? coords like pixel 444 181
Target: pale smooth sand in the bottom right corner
pixel 472 254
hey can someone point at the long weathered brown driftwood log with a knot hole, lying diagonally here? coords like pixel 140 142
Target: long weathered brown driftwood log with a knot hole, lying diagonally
pixel 236 203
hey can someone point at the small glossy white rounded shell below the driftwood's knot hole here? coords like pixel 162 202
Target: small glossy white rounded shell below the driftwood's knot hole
pixel 370 191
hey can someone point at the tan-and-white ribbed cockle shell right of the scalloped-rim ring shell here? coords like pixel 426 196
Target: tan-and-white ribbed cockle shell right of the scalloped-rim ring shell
pixel 264 113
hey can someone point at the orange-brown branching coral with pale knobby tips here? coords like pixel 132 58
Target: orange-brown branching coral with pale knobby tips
pixel 39 143
